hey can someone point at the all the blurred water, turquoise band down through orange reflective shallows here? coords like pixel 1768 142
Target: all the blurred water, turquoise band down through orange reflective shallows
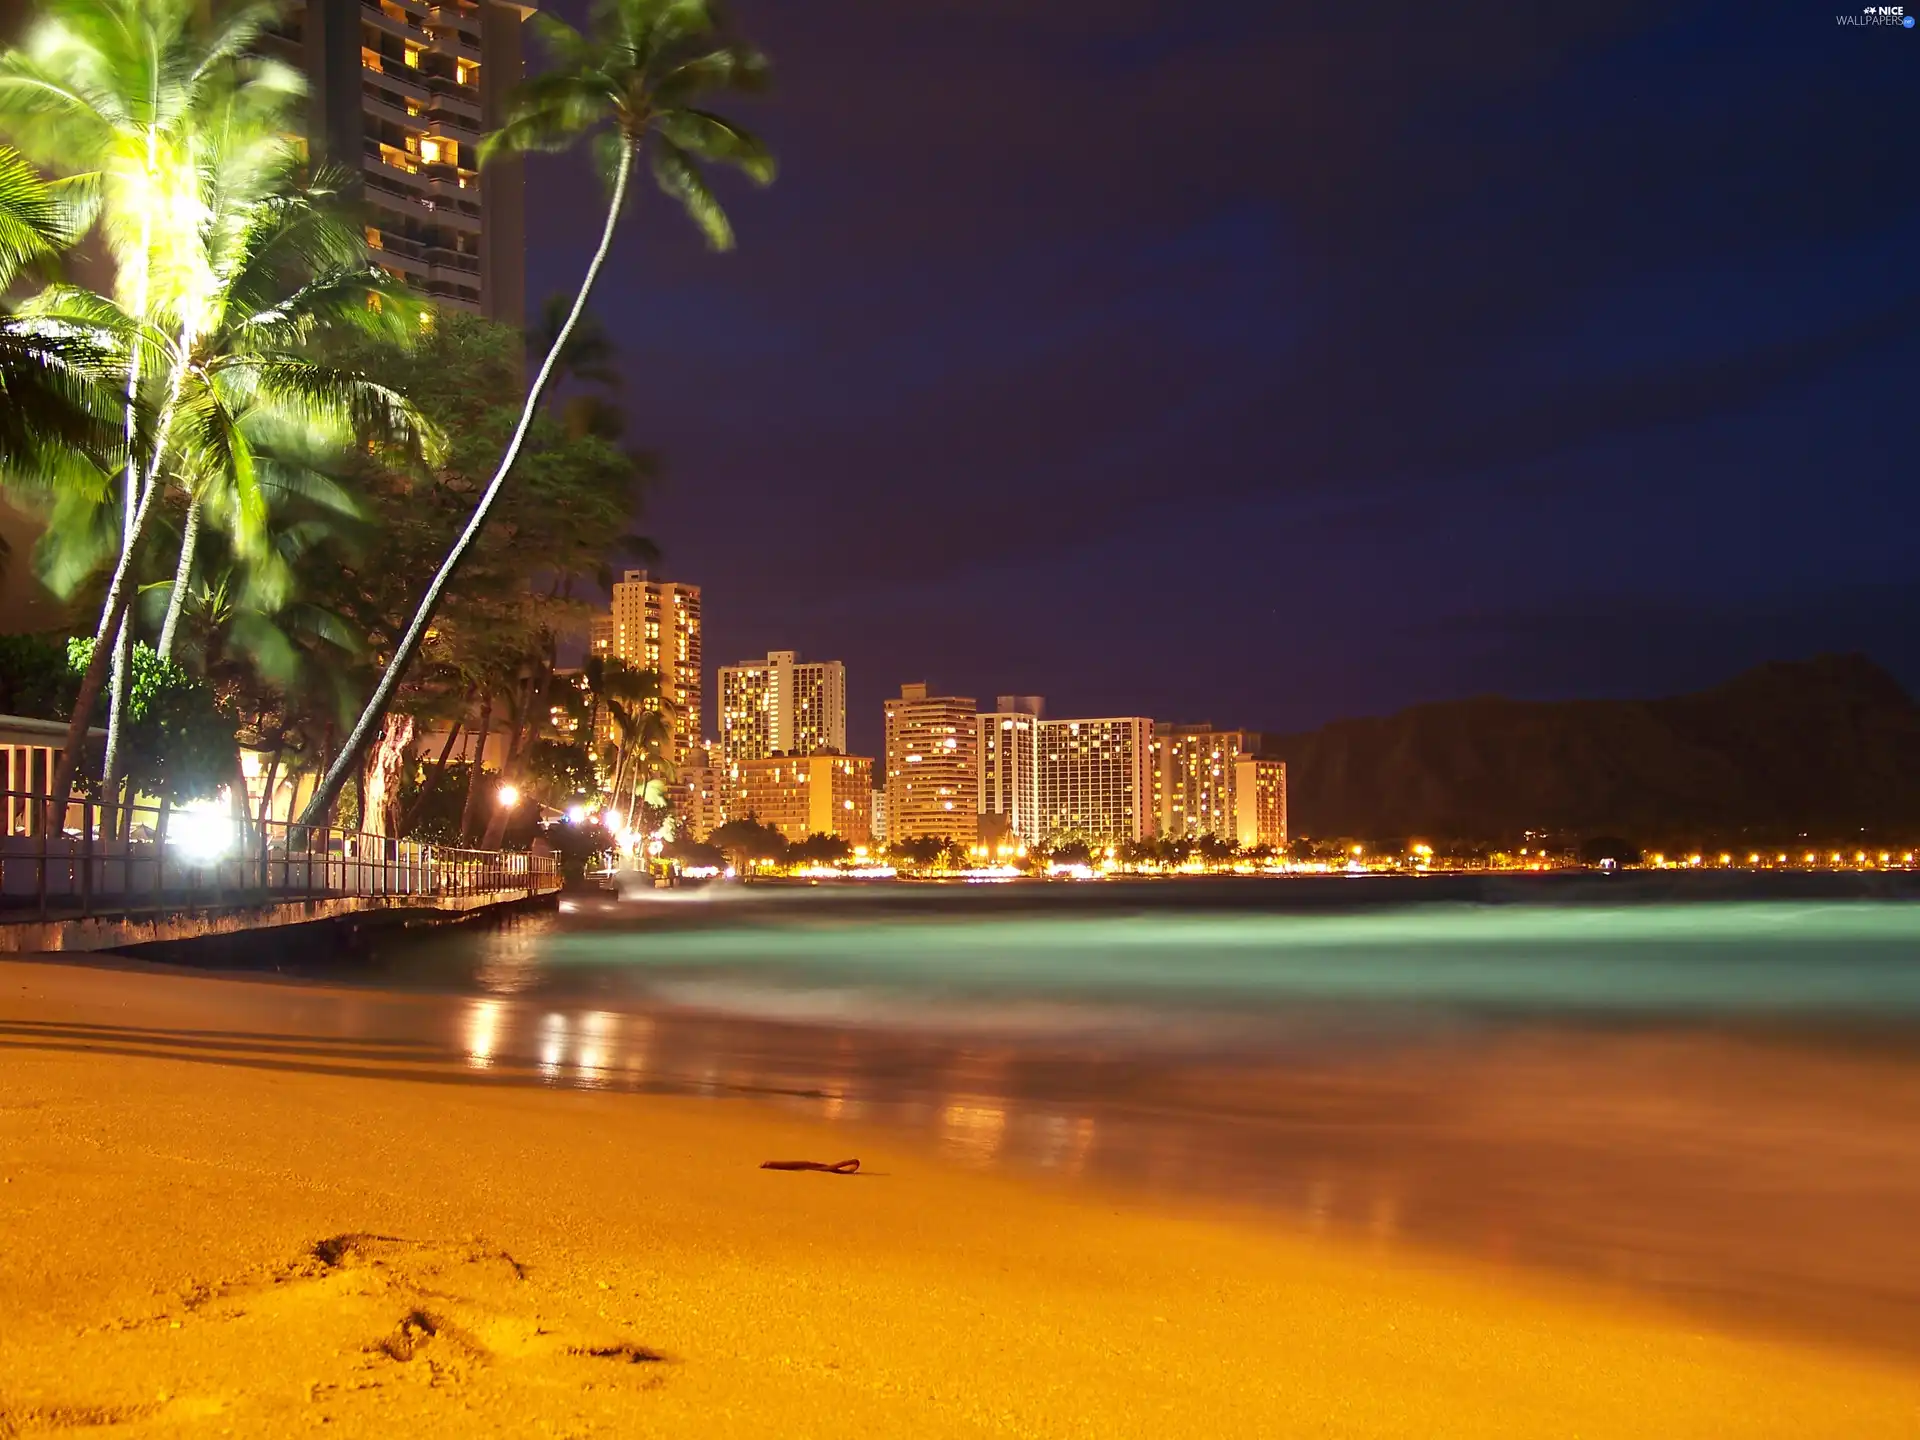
pixel 1716 1103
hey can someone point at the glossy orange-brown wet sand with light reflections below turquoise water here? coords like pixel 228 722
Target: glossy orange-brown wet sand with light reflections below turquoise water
pixel 1758 1178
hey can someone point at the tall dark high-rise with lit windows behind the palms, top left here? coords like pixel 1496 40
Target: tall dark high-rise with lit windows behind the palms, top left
pixel 400 93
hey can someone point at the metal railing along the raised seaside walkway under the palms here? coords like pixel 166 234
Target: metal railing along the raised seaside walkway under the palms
pixel 145 859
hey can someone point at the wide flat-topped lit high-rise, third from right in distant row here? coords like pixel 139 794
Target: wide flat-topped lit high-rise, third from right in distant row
pixel 1095 780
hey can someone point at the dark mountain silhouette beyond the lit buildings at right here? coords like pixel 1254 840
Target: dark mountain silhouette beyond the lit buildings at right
pixel 1823 748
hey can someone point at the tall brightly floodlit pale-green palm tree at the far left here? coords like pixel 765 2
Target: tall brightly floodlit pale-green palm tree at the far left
pixel 128 95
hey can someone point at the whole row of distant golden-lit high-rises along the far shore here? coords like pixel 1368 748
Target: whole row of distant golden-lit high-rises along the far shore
pixel 946 767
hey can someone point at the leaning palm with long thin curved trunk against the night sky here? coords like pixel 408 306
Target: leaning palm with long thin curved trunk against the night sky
pixel 636 85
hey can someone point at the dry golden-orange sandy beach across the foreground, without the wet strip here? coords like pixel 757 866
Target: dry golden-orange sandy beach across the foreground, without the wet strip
pixel 260 1232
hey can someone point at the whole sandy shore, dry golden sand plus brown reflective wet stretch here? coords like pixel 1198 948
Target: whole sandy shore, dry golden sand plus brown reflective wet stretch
pixel 254 1209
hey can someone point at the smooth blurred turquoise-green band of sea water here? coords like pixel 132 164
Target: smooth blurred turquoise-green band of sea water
pixel 1850 959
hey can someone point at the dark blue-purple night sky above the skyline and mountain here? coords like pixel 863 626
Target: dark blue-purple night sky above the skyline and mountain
pixel 1266 364
